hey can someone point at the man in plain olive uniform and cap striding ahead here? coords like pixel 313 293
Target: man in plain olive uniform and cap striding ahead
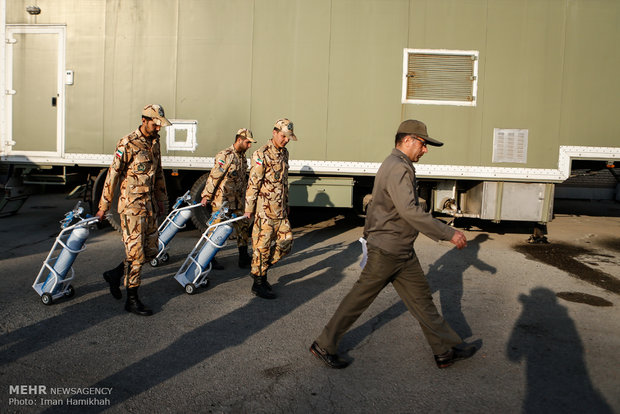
pixel 394 220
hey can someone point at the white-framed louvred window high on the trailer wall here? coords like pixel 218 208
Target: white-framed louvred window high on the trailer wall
pixel 440 77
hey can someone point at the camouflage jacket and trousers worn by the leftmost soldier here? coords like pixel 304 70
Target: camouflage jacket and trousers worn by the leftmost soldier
pixel 137 164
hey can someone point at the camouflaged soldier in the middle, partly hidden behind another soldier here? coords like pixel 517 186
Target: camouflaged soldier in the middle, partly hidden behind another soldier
pixel 226 184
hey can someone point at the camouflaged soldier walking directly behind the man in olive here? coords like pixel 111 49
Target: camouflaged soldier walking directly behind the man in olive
pixel 267 198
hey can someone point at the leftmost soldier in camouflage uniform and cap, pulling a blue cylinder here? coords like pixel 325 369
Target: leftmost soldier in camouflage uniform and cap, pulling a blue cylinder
pixel 137 165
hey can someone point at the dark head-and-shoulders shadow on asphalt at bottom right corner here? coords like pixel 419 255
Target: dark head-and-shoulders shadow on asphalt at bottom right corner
pixel 545 337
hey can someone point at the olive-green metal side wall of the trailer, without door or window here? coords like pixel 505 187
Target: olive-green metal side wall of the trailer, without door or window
pixel 335 68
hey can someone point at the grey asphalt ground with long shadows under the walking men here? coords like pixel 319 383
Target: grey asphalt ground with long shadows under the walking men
pixel 548 337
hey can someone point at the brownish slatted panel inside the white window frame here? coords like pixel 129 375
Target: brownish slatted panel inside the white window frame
pixel 440 77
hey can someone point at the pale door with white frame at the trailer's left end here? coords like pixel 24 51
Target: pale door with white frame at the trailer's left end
pixel 35 89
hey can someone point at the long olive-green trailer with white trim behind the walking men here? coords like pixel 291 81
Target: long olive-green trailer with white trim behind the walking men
pixel 517 90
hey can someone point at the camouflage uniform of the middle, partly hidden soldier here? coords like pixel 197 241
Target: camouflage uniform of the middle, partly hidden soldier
pixel 226 184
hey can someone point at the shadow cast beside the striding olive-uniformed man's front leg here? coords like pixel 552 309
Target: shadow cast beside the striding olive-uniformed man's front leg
pixel 446 277
